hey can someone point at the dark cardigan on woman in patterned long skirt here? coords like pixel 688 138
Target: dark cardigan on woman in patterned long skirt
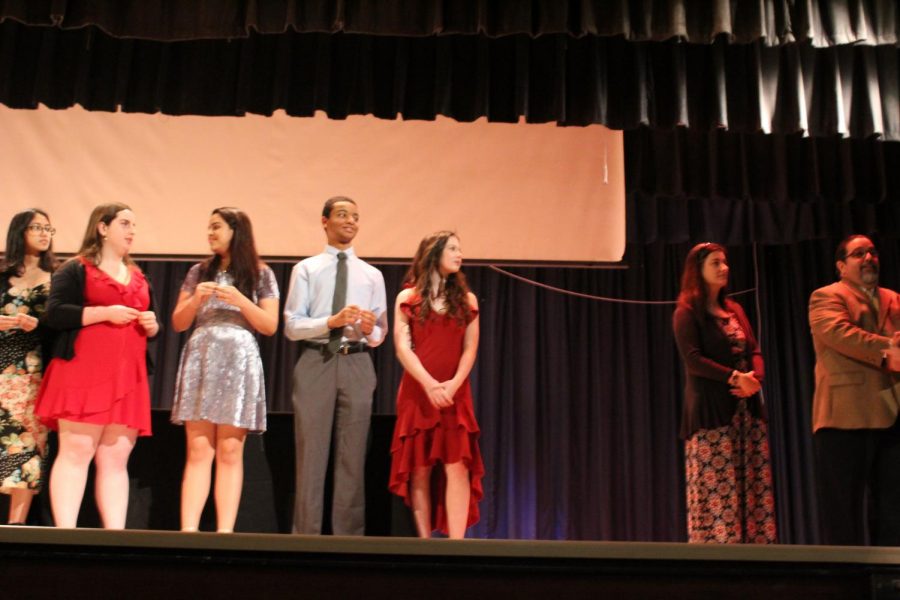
pixel 708 364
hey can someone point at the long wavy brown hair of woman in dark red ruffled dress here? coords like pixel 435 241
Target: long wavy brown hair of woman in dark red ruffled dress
pixel 454 289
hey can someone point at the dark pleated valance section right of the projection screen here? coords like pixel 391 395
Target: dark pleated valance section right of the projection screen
pixel 773 189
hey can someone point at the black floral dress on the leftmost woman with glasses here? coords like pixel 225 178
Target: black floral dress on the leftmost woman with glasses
pixel 23 439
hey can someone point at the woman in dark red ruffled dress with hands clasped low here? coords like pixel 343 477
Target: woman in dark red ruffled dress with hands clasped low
pixel 436 339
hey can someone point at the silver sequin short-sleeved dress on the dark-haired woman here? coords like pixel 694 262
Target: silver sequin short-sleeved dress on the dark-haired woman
pixel 220 376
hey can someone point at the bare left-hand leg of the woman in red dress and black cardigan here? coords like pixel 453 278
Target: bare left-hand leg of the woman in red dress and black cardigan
pixel 77 446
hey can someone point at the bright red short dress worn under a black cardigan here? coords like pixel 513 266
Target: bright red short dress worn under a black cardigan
pixel 106 381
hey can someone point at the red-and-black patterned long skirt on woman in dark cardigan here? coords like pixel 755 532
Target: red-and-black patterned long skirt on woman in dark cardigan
pixel 730 498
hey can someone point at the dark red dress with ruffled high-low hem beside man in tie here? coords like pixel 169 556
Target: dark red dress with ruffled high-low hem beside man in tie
pixel 425 435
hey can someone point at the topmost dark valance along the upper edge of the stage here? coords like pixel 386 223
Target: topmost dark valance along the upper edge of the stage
pixel 773 22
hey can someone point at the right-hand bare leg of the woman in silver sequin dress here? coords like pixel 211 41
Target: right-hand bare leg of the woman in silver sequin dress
pixel 229 475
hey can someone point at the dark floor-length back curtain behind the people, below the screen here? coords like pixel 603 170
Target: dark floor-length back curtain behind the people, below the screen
pixel 579 400
